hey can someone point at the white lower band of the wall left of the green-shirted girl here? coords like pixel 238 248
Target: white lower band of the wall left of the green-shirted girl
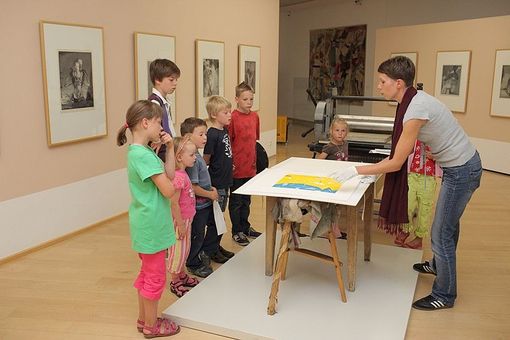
pixel 31 220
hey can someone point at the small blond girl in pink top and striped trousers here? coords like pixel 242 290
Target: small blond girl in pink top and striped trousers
pixel 183 210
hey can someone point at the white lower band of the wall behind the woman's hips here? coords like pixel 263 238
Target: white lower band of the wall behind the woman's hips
pixel 495 155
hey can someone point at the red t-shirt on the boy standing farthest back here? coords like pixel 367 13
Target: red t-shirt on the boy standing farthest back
pixel 244 130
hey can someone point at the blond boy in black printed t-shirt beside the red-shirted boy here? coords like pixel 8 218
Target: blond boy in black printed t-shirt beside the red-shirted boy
pixel 218 156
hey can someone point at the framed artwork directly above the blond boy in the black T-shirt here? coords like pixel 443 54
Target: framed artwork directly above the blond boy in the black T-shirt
pixel 210 73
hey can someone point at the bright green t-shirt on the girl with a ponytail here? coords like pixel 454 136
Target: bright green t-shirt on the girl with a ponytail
pixel 150 219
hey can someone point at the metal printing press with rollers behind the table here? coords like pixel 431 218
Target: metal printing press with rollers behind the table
pixel 365 132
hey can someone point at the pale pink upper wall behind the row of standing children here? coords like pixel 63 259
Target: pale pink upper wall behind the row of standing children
pixel 27 164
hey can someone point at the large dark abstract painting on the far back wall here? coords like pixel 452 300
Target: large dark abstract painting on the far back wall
pixel 337 61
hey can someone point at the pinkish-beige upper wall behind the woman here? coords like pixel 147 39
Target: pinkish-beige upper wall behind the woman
pixel 480 36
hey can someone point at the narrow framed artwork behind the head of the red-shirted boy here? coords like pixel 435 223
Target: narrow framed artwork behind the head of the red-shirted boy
pixel 249 70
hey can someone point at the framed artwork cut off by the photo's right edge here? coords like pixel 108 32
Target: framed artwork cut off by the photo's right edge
pixel 500 102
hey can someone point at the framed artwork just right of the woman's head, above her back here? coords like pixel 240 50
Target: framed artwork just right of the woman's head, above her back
pixel 452 78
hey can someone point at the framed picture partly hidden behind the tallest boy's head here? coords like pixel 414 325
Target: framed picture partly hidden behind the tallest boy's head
pixel 148 47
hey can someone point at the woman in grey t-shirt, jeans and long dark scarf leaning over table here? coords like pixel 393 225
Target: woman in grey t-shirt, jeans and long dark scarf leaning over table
pixel 421 116
